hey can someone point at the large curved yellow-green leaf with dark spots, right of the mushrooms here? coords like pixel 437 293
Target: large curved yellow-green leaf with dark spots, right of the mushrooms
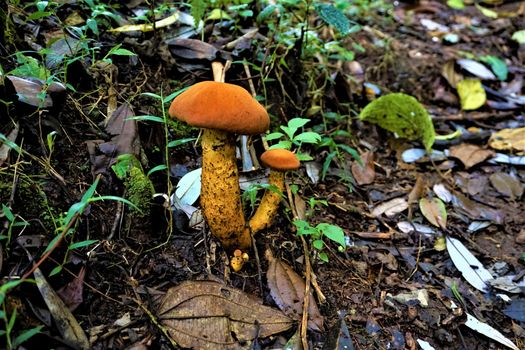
pixel 402 114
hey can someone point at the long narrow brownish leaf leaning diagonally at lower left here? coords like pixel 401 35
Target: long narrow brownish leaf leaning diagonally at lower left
pixel 65 321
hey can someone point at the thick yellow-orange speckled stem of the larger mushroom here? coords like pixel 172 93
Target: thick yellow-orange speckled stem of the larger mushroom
pixel 220 193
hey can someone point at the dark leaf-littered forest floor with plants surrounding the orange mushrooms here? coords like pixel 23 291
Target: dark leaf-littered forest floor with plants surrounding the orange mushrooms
pixel 433 248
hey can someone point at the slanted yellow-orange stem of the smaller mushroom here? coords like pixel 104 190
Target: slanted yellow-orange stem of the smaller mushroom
pixel 267 209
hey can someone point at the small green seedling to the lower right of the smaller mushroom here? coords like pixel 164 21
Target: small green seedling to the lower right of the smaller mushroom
pixel 318 233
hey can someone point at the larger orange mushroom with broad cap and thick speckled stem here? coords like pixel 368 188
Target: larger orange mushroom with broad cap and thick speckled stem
pixel 221 110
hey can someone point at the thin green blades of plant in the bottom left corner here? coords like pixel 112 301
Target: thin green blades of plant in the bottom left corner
pixel 9 319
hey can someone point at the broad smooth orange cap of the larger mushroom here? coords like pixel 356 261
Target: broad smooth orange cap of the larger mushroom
pixel 220 106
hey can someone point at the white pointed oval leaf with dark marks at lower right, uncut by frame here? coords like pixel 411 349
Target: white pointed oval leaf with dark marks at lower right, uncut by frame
pixel 471 268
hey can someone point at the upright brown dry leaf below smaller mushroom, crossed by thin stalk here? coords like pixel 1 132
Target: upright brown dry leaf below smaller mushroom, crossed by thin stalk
pixel 287 290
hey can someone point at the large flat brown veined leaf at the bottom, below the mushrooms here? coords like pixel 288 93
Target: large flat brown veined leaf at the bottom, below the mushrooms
pixel 210 315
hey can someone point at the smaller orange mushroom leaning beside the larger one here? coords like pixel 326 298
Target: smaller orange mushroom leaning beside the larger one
pixel 279 161
